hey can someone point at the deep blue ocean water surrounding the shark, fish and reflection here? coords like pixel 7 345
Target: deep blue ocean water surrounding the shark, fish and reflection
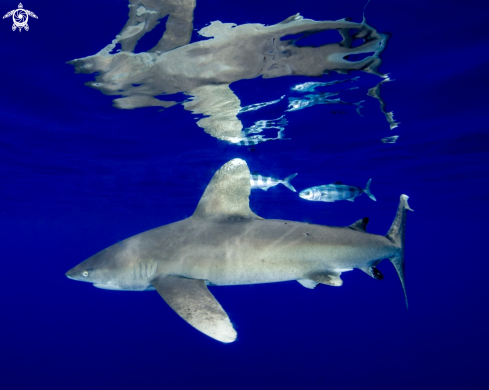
pixel 78 175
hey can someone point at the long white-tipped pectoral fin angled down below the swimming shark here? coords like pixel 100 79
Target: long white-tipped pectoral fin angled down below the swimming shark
pixel 192 301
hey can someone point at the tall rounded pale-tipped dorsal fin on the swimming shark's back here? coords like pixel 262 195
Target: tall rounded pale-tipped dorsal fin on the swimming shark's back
pixel 227 194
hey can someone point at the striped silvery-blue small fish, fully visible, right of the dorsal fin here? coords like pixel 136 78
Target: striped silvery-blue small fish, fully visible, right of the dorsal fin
pixel 334 192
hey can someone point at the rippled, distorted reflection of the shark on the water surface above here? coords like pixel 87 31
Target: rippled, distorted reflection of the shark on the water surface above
pixel 205 69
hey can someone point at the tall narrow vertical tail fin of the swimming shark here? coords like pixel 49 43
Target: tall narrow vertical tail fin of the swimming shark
pixel 396 235
